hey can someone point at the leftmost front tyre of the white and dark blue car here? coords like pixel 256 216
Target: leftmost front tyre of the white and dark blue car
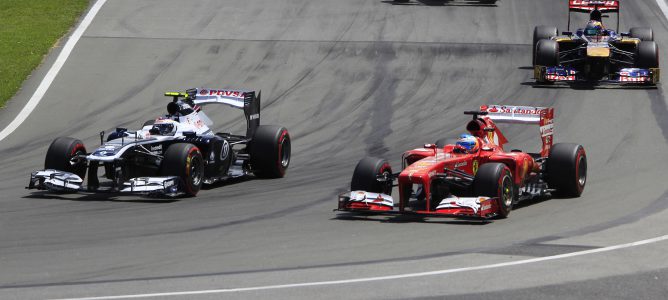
pixel 60 154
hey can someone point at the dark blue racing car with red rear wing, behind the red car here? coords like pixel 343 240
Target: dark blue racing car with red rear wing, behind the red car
pixel 595 54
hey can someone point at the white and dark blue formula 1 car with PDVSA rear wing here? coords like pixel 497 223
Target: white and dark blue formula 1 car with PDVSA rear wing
pixel 171 155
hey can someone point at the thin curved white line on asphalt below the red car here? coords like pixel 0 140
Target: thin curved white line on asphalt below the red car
pixel 367 279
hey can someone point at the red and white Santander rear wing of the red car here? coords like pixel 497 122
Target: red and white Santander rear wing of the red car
pixel 542 116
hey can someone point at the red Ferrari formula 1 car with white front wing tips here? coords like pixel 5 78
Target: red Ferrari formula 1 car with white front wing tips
pixel 473 177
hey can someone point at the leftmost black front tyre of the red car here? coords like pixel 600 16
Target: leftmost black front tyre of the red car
pixel 365 176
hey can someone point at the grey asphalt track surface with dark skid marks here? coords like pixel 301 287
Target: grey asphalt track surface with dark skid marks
pixel 348 79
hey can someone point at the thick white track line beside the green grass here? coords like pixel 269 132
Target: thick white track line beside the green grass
pixel 51 75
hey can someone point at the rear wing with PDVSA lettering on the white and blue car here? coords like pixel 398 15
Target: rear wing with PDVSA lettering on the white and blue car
pixel 244 99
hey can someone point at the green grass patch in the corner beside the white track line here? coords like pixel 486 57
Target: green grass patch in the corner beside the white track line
pixel 28 29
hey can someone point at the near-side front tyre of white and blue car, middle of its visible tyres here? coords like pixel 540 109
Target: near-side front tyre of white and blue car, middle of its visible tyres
pixel 185 161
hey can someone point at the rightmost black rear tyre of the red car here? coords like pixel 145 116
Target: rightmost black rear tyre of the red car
pixel 567 169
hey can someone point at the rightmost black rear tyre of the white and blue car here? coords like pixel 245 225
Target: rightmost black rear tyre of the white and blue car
pixel 270 151
